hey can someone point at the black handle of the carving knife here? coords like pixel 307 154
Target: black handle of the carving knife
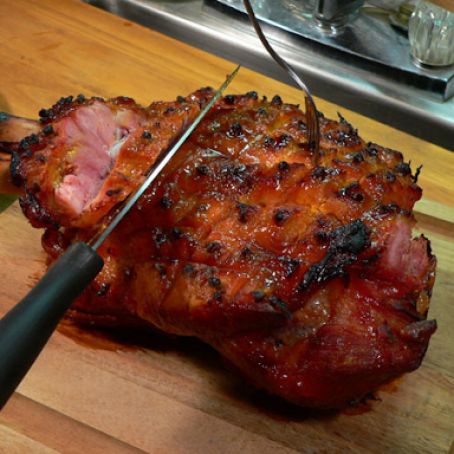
pixel 26 328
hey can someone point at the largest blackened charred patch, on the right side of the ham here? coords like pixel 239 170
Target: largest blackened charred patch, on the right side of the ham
pixel 346 243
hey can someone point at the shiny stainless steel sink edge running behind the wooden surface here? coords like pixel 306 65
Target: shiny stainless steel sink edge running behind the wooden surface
pixel 331 75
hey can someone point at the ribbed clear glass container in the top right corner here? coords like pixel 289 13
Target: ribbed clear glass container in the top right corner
pixel 431 34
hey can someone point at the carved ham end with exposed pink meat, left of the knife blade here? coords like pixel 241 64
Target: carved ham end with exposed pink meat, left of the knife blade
pixel 90 154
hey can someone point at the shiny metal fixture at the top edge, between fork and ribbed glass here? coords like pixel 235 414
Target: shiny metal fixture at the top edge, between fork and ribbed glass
pixel 331 15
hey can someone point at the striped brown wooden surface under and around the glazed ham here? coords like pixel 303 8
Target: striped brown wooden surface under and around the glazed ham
pixel 93 393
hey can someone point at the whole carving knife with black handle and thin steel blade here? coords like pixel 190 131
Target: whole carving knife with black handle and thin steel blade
pixel 26 328
